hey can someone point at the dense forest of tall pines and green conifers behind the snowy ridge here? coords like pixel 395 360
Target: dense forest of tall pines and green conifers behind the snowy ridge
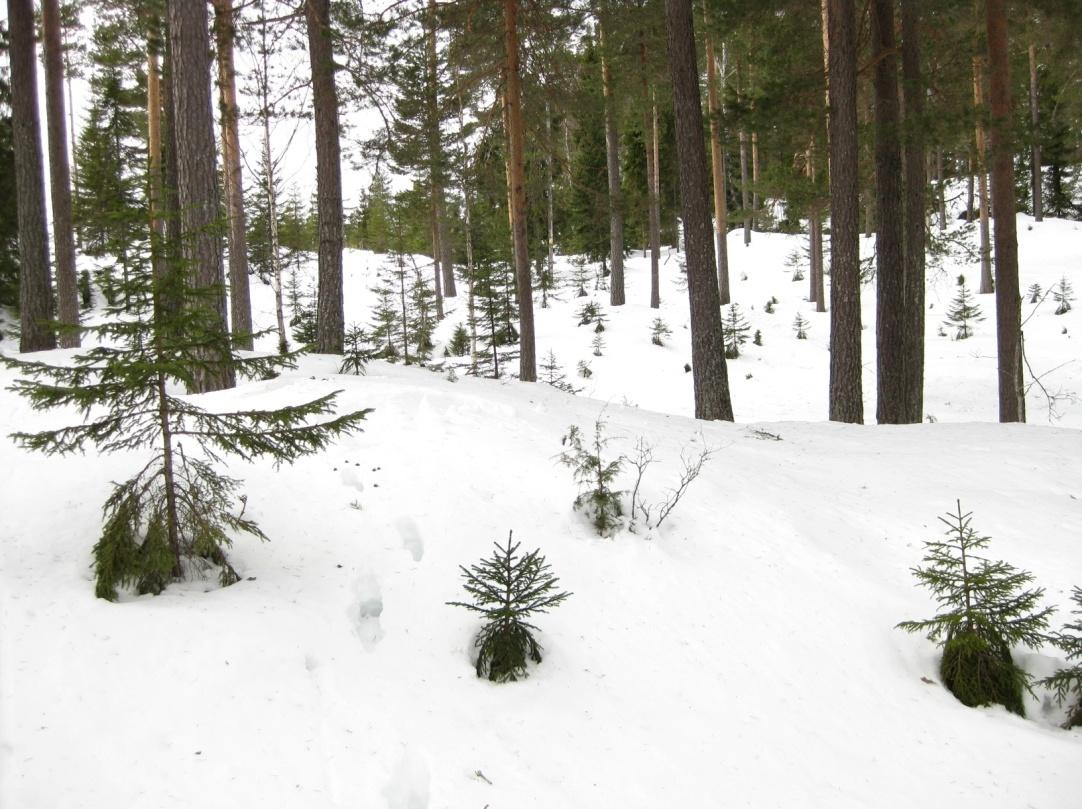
pixel 512 131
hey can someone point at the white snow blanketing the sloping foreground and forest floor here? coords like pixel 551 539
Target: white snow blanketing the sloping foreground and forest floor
pixel 743 655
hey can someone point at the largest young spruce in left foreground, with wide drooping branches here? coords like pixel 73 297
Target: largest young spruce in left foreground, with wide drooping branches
pixel 176 516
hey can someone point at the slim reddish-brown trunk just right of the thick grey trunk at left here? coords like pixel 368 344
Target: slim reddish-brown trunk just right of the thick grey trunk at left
pixel 241 302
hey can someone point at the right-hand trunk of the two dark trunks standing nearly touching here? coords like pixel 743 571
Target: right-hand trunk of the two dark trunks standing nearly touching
pixel 916 219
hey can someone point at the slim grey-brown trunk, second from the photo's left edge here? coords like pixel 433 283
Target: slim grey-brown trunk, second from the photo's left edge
pixel 60 177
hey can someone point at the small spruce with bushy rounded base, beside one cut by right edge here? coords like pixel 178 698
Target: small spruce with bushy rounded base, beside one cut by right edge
pixel 985 611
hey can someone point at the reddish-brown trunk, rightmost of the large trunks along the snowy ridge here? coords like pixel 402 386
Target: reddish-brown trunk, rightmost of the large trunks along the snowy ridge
pixel 1008 300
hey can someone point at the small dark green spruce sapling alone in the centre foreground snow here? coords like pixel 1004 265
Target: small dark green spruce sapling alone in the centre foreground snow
pixel 508 591
